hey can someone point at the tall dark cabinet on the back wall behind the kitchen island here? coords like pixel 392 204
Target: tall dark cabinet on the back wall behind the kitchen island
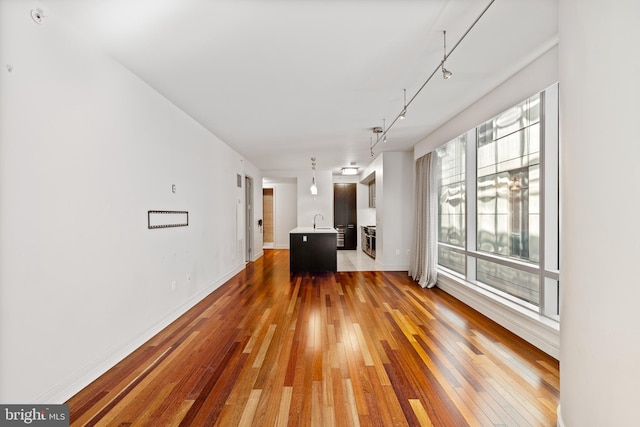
pixel 345 215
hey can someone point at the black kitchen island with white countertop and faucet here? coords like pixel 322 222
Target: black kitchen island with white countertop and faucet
pixel 313 249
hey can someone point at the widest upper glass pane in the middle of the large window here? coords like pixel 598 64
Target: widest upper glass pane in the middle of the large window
pixel 508 173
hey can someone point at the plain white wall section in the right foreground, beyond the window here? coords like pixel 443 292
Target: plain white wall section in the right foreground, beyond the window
pixel 599 89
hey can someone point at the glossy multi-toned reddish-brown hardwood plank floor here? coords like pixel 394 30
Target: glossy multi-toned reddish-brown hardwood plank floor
pixel 351 348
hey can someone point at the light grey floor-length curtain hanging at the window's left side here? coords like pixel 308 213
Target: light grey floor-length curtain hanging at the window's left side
pixel 424 263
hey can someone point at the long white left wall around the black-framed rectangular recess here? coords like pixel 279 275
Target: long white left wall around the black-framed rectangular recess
pixel 86 149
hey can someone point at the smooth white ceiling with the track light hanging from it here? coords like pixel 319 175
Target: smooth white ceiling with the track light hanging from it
pixel 282 81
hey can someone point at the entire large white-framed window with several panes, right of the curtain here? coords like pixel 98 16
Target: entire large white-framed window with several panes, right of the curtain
pixel 498 222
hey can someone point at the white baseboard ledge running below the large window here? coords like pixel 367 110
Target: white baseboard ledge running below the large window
pixel 541 332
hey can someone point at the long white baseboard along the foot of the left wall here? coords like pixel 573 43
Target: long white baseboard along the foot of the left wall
pixel 90 372
